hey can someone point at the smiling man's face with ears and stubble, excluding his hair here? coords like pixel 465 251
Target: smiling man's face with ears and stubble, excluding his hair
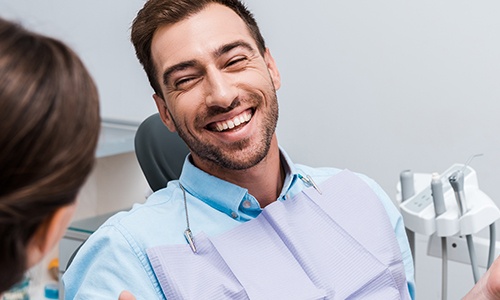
pixel 220 92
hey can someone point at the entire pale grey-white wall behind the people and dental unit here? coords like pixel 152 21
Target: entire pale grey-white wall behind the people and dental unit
pixel 373 86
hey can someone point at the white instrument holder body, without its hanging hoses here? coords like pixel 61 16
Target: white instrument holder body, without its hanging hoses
pixel 419 214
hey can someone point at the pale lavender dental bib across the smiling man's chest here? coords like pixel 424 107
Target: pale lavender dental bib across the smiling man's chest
pixel 335 245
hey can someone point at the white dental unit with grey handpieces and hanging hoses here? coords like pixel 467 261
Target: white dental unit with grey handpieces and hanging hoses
pixel 445 206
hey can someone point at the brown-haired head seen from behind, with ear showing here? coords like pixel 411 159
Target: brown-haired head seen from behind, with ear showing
pixel 49 127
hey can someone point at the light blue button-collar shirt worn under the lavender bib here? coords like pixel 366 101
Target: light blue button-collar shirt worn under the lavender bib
pixel 114 258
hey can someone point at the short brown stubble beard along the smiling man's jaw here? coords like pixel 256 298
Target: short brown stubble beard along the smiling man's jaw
pixel 240 155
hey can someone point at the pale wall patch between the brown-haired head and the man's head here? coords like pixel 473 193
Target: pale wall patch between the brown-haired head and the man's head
pixel 99 31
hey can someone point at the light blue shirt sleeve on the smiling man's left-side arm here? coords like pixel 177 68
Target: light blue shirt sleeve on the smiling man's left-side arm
pixel 108 263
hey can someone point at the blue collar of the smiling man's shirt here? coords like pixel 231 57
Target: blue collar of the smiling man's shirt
pixel 228 197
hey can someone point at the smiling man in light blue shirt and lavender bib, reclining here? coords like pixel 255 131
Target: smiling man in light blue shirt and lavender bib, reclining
pixel 259 226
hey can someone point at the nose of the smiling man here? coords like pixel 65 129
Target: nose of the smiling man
pixel 221 91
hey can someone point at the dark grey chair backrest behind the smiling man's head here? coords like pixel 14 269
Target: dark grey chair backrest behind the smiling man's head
pixel 160 153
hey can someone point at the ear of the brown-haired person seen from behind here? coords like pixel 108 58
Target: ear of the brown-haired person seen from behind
pixel 49 233
